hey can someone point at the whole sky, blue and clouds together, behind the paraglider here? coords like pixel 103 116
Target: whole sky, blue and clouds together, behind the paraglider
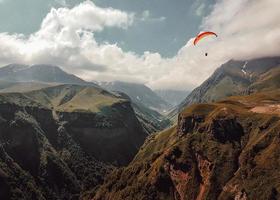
pixel 143 41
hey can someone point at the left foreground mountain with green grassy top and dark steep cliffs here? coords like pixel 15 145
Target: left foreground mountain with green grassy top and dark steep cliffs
pixel 60 141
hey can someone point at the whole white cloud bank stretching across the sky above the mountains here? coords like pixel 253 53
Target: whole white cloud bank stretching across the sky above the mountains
pixel 246 29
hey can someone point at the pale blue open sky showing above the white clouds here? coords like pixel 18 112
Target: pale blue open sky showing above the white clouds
pixel 162 26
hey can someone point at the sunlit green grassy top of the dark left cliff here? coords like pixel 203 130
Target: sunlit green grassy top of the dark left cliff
pixel 68 98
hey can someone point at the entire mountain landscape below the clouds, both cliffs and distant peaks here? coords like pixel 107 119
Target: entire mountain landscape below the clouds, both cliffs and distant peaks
pixel 64 140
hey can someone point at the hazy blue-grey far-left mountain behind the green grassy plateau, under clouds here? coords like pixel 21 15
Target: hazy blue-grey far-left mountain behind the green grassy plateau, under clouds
pixel 38 73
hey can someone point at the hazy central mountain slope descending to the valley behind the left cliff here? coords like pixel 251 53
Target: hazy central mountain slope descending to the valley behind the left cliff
pixel 147 105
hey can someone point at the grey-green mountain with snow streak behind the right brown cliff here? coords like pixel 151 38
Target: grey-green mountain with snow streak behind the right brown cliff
pixel 235 78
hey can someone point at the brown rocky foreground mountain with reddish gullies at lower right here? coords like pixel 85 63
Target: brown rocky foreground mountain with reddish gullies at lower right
pixel 224 150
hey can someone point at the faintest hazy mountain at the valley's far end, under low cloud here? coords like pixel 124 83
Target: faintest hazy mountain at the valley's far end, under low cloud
pixel 173 97
